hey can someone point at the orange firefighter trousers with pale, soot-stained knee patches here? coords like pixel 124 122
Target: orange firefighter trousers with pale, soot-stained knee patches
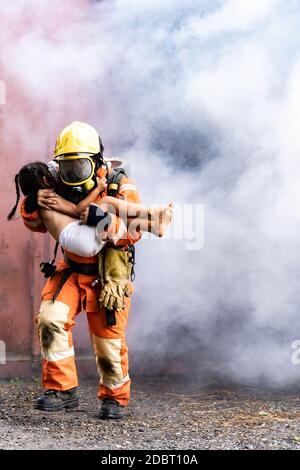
pixel 55 322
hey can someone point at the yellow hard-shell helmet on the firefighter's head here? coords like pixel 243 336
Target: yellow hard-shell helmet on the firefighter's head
pixel 76 138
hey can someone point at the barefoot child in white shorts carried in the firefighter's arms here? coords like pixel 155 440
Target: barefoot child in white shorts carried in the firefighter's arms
pixel 74 226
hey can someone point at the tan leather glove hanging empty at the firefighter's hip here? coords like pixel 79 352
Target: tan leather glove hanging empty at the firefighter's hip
pixel 115 270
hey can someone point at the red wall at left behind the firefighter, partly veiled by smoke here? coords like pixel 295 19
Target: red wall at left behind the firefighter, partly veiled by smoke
pixel 36 108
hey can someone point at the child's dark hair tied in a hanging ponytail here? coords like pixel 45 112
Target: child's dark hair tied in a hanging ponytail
pixel 30 179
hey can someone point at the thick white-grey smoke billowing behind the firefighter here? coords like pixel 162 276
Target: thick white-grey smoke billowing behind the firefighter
pixel 202 99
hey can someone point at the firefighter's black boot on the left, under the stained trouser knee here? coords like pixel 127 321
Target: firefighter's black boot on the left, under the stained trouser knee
pixel 54 400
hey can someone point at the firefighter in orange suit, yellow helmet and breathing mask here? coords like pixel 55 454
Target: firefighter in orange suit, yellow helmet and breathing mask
pixel 79 153
